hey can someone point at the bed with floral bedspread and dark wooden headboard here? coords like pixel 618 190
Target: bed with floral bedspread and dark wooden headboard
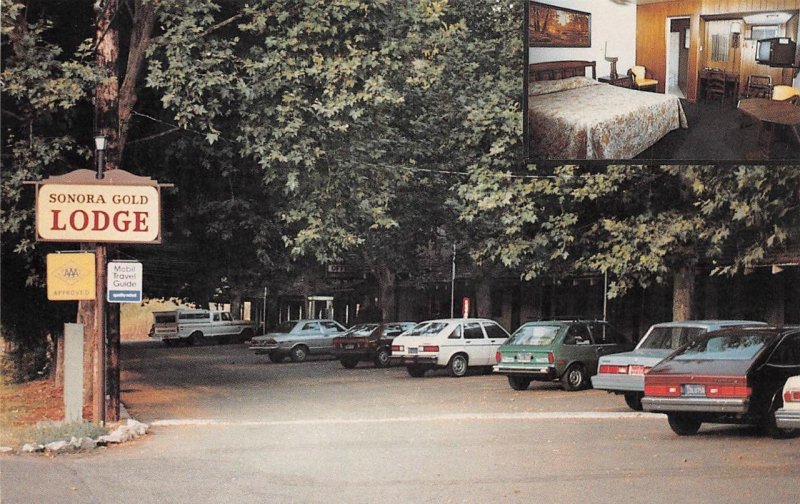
pixel 571 116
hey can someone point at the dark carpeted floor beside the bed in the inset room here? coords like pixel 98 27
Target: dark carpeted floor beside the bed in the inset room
pixel 715 134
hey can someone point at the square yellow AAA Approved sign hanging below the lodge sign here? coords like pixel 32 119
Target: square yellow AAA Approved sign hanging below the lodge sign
pixel 71 276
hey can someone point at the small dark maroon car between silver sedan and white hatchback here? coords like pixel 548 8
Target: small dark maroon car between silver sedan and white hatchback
pixel 368 342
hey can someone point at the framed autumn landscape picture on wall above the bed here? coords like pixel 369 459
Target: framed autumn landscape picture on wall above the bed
pixel 551 26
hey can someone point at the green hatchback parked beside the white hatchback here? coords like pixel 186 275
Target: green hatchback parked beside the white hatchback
pixel 565 350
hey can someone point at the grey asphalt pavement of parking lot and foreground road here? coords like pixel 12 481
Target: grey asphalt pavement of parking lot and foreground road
pixel 229 426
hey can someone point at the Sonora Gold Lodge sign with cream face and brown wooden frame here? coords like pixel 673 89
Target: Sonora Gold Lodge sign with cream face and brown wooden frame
pixel 77 207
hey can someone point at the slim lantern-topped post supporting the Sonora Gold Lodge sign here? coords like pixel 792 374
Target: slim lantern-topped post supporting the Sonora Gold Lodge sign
pixel 99 341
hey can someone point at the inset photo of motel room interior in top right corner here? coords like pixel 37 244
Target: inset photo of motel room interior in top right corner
pixel 701 54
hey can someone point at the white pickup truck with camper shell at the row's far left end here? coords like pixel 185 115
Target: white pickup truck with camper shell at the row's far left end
pixel 197 326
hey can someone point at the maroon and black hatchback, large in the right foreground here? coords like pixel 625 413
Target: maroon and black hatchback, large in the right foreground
pixel 728 376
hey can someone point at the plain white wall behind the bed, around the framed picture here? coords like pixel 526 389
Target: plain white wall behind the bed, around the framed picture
pixel 611 22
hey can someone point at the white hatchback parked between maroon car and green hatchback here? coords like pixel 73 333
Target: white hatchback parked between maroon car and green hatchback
pixel 454 344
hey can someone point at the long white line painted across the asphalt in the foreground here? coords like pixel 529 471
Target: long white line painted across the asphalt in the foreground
pixel 555 415
